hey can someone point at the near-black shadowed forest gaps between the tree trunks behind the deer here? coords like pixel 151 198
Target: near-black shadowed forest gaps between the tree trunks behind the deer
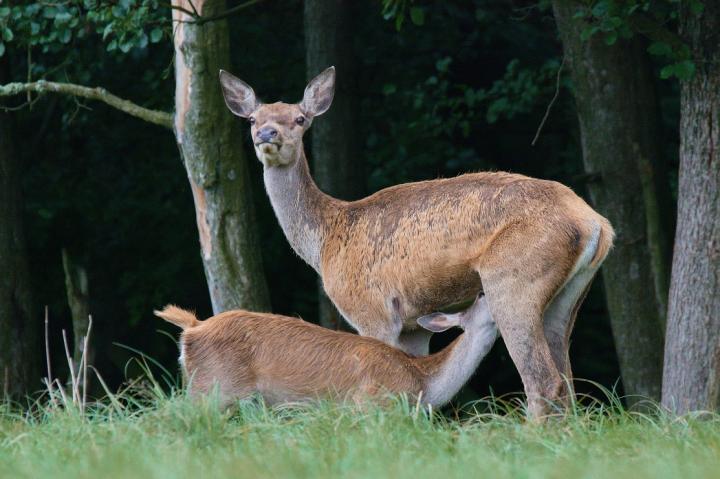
pixel 457 87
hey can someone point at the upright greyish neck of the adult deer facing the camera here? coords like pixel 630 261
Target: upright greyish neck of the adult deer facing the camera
pixel 303 211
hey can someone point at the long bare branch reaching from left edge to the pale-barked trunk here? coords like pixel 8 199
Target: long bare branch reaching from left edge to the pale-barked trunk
pixel 100 94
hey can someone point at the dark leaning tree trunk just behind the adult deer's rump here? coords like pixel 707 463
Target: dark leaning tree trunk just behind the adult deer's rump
pixel 616 110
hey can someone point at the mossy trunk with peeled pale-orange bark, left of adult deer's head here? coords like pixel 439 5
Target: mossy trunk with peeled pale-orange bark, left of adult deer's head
pixel 209 140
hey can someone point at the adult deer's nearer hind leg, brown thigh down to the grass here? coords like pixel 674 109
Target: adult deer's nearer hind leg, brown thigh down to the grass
pixel 520 277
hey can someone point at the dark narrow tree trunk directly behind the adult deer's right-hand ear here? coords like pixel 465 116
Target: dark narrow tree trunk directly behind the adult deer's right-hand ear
pixel 337 165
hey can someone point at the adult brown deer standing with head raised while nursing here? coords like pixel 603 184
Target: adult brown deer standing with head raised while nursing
pixel 532 246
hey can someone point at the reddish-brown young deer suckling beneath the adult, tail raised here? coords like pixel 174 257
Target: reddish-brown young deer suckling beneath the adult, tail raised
pixel 287 359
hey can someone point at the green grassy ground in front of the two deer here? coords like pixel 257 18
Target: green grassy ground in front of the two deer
pixel 173 437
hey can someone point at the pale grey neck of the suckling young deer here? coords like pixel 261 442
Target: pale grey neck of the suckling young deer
pixel 448 370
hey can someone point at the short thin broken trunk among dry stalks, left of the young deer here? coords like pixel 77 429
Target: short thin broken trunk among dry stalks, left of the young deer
pixel 76 288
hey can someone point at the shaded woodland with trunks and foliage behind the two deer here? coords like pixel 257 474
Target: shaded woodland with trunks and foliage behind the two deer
pixel 116 205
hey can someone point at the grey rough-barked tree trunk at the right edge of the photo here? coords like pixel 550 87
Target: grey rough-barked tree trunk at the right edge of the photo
pixel 691 379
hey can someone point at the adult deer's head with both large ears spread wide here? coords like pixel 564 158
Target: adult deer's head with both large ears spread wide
pixel 277 128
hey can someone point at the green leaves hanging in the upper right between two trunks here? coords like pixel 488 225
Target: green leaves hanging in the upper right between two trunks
pixel 621 19
